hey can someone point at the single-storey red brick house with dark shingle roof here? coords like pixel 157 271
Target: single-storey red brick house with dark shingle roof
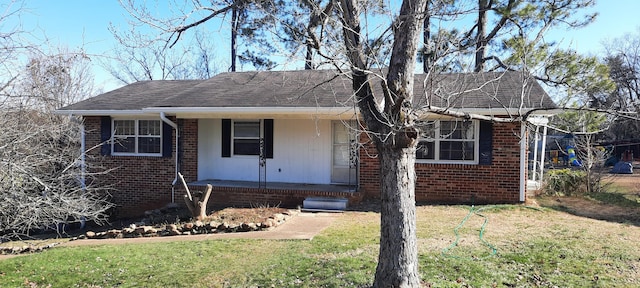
pixel 277 137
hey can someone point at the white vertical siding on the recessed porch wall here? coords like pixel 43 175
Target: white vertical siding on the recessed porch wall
pixel 301 153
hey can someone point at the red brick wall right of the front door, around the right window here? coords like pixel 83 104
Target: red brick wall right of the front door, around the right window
pixel 459 183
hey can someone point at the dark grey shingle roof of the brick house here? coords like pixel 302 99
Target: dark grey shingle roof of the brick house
pixel 318 88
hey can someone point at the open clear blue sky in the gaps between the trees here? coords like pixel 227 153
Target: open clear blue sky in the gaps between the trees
pixel 84 24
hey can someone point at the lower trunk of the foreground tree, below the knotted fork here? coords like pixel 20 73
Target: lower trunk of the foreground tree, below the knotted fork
pixel 398 258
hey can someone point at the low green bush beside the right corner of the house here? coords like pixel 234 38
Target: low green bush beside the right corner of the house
pixel 565 182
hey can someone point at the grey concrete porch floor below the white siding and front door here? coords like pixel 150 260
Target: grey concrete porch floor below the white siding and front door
pixel 277 185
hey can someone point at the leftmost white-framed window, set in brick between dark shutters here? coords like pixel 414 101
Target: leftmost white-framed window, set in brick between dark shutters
pixel 141 137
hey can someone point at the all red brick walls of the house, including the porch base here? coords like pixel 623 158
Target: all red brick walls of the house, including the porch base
pixel 144 183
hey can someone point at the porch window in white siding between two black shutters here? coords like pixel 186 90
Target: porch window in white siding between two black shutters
pixel 246 137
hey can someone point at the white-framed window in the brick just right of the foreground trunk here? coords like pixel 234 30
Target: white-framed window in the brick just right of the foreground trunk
pixel 449 141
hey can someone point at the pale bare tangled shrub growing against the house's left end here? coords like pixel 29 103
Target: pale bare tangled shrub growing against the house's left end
pixel 43 180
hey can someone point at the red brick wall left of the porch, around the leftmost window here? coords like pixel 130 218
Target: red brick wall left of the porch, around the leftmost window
pixel 143 183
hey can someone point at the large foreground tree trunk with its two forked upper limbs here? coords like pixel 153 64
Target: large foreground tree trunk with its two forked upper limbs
pixel 395 136
